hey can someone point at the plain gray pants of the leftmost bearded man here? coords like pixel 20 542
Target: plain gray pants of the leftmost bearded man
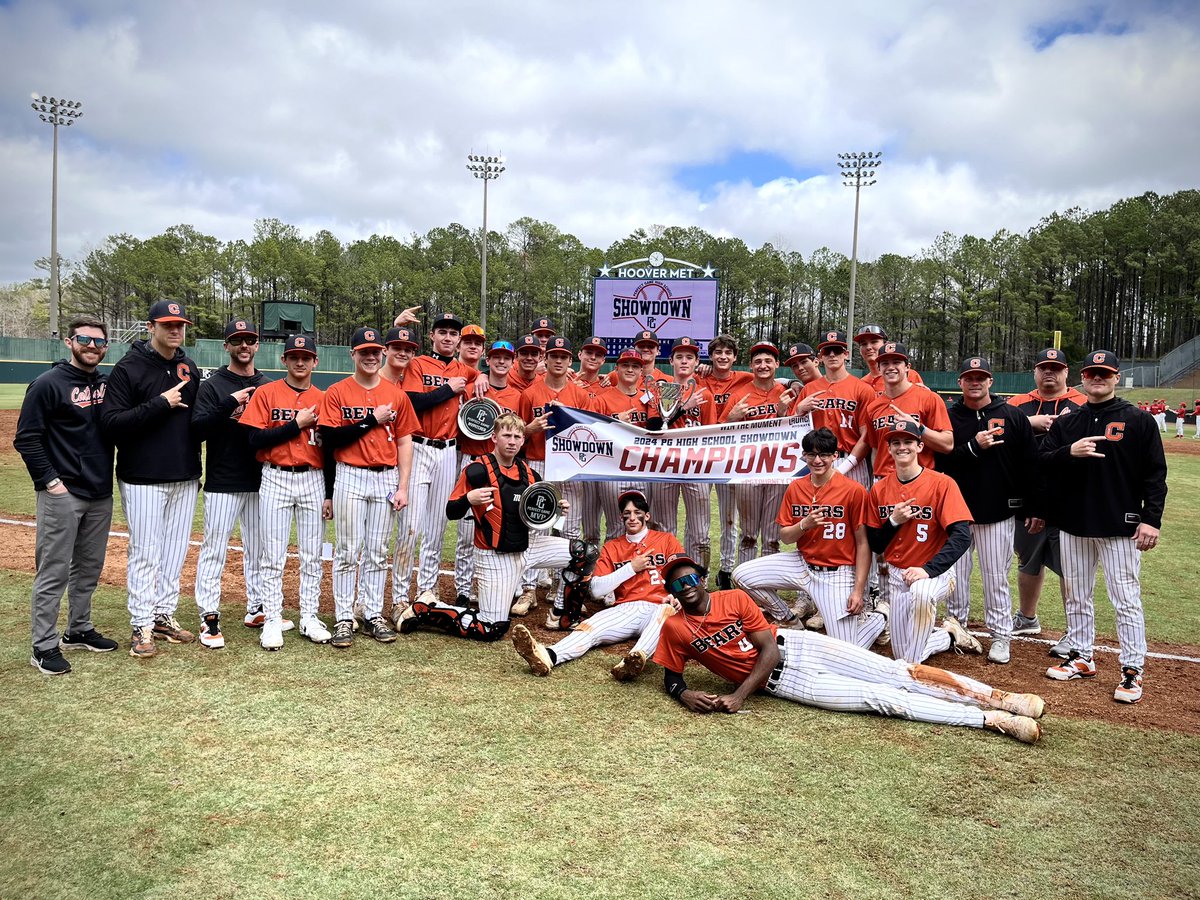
pixel 73 541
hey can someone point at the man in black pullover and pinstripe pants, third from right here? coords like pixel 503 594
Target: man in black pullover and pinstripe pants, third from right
pixel 993 465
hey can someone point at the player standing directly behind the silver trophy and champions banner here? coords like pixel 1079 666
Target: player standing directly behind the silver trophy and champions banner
pixel 699 411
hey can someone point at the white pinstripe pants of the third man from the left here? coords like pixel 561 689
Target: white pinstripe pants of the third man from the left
pixel 221 513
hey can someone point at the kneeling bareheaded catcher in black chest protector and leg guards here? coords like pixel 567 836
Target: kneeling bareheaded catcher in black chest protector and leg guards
pixel 490 489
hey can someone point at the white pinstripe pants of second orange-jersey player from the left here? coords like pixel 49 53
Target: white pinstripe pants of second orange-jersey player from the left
pixel 363 520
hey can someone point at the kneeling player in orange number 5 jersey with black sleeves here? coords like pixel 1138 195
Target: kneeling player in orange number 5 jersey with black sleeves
pixel 922 527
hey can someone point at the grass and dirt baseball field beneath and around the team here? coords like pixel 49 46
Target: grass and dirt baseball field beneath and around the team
pixel 439 769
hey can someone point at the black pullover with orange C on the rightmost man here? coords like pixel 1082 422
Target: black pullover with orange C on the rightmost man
pixel 1109 497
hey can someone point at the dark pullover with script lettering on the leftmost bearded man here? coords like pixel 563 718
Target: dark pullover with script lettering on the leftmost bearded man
pixel 58 433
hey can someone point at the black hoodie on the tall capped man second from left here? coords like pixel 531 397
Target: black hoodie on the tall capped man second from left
pixel 154 441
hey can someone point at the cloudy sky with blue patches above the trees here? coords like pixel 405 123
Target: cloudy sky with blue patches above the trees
pixel 358 117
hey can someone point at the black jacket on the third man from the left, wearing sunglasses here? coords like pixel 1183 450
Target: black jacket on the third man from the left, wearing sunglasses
pixel 231 466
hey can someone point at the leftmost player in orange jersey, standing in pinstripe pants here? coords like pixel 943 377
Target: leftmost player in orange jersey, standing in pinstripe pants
pixel 281 423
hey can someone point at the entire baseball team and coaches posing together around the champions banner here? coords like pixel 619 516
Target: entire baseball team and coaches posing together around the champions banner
pixel 899 500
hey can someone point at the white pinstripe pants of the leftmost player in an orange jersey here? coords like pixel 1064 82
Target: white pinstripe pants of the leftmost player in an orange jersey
pixel 284 497
